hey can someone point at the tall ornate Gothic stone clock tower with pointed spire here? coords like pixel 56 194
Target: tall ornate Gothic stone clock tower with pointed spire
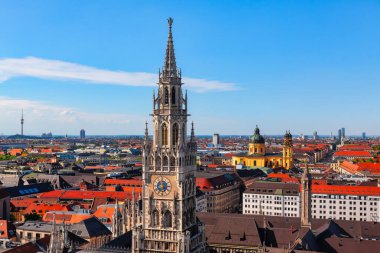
pixel 169 223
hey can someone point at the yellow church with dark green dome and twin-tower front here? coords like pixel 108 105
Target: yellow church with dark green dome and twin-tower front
pixel 257 155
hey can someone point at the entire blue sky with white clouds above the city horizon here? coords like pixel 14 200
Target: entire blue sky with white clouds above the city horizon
pixel 297 65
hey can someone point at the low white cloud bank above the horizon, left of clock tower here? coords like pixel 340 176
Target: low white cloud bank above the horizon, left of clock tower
pixel 43 117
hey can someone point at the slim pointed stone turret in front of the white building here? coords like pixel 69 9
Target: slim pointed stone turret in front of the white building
pixel 306 198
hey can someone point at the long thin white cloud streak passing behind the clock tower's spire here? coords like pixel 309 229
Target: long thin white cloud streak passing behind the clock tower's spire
pixel 60 70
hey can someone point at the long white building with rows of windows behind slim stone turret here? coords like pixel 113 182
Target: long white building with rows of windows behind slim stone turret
pixel 360 203
